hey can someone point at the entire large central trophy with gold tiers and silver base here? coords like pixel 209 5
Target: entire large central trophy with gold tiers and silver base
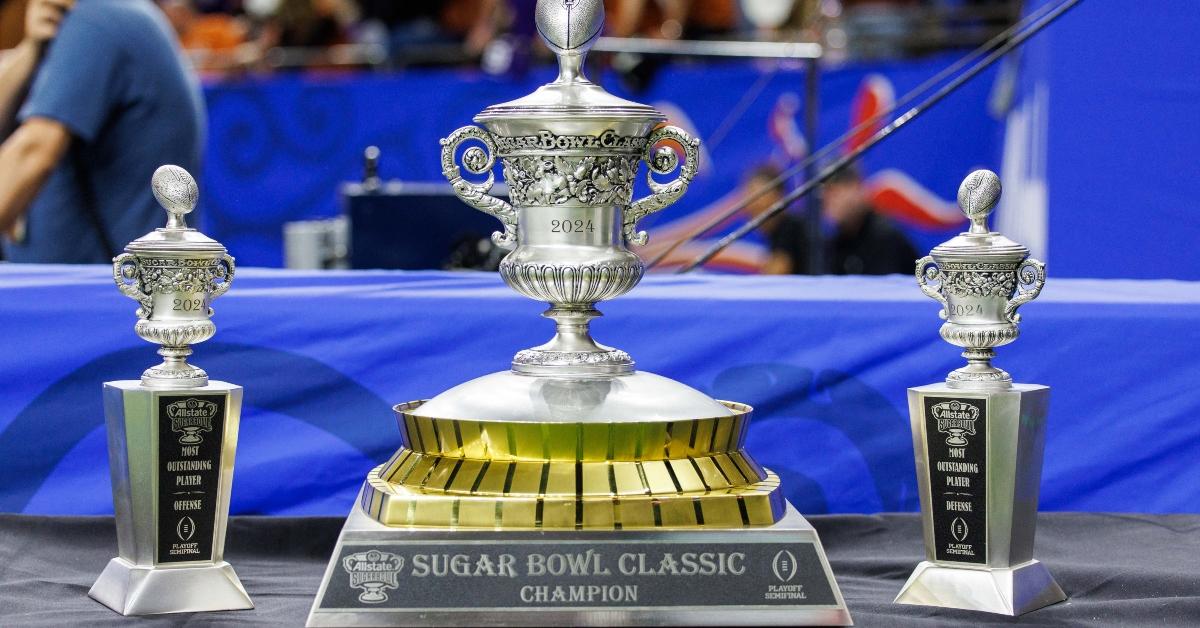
pixel 574 488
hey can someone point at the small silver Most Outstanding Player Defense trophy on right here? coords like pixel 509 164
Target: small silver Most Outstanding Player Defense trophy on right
pixel 980 438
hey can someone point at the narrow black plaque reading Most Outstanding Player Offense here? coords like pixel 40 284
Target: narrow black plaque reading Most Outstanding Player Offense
pixel 191 430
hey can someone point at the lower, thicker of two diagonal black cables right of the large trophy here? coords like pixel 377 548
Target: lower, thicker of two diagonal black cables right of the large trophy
pixel 881 135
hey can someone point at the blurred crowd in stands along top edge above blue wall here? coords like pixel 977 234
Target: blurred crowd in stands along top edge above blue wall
pixel 237 37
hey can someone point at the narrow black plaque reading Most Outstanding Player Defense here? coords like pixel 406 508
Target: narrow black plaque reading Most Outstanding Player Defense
pixel 957 441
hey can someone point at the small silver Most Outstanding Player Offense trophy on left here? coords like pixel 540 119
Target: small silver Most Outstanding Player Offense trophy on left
pixel 172 436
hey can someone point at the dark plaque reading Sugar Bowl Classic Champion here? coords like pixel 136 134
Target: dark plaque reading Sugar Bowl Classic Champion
pixel 502 575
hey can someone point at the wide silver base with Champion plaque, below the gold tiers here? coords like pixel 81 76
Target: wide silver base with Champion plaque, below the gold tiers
pixel 773 576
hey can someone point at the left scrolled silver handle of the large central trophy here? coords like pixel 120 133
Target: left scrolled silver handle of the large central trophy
pixel 478 162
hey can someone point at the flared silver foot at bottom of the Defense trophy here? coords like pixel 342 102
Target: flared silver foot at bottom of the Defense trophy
pixel 1010 591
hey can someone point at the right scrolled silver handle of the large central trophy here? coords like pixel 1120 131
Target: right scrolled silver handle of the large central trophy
pixel 663 162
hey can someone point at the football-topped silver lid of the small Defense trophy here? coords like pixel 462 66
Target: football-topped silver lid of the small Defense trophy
pixel 979 196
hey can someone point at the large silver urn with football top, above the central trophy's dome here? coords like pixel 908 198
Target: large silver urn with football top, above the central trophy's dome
pixel 572 154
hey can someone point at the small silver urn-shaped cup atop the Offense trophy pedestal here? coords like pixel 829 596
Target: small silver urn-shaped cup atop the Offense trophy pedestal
pixel 175 274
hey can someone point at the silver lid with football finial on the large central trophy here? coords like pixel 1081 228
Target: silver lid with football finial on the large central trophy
pixel 571 28
